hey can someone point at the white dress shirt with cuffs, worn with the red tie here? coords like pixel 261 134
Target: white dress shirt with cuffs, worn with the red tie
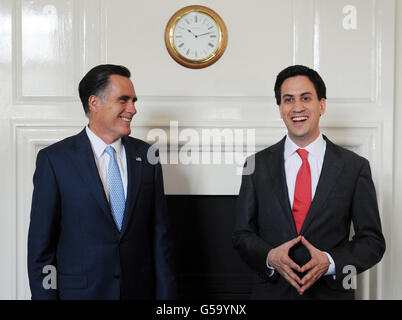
pixel 293 162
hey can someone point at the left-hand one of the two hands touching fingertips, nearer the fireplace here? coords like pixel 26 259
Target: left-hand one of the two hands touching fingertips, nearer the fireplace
pixel 279 259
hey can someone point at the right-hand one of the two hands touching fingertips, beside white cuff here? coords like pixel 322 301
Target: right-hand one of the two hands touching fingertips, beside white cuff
pixel 317 266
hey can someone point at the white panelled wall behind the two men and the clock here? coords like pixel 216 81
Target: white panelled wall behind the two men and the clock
pixel 47 46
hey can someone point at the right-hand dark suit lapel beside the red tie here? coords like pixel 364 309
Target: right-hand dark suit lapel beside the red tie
pixel 331 169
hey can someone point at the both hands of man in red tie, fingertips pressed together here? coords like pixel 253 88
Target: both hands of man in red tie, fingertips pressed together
pixel 318 265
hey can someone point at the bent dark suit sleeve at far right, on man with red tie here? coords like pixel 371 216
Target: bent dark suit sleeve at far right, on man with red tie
pixel 368 244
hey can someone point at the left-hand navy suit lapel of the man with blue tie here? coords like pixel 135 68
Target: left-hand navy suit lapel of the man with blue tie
pixel 86 167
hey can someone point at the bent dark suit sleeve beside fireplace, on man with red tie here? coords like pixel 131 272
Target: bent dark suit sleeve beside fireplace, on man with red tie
pixel 245 239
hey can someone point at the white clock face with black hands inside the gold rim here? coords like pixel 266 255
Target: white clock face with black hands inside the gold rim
pixel 196 36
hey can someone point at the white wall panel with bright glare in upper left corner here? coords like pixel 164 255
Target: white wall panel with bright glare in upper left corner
pixel 48 56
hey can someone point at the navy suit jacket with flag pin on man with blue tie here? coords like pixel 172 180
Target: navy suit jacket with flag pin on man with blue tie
pixel 72 227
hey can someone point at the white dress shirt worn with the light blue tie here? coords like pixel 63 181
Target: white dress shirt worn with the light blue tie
pixel 102 159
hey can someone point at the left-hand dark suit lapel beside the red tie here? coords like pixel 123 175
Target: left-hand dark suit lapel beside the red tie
pixel 276 168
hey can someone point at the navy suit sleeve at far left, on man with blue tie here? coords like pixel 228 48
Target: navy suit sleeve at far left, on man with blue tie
pixel 44 227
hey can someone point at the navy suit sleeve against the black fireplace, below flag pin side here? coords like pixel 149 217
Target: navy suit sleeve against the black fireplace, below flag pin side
pixel 164 258
